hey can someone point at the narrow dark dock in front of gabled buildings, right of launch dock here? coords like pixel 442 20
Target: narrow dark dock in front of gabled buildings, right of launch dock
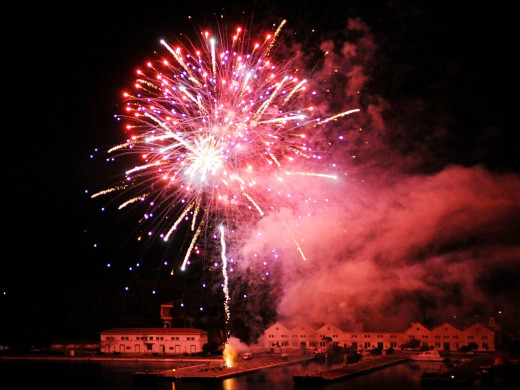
pixel 359 368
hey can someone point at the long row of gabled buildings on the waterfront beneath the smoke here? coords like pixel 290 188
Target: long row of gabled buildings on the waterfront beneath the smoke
pixel 444 337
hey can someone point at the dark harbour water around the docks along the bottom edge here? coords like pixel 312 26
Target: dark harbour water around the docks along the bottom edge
pixel 42 375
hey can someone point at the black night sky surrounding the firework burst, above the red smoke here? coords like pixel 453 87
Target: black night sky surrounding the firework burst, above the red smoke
pixel 444 66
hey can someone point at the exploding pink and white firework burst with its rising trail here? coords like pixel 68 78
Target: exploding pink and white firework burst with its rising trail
pixel 216 129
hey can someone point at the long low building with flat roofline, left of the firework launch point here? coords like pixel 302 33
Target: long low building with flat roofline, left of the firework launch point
pixel 153 340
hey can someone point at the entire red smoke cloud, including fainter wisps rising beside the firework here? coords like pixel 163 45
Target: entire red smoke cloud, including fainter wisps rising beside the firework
pixel 390 241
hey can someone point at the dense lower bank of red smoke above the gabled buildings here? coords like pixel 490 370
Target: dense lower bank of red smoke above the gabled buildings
pixel 423 248
